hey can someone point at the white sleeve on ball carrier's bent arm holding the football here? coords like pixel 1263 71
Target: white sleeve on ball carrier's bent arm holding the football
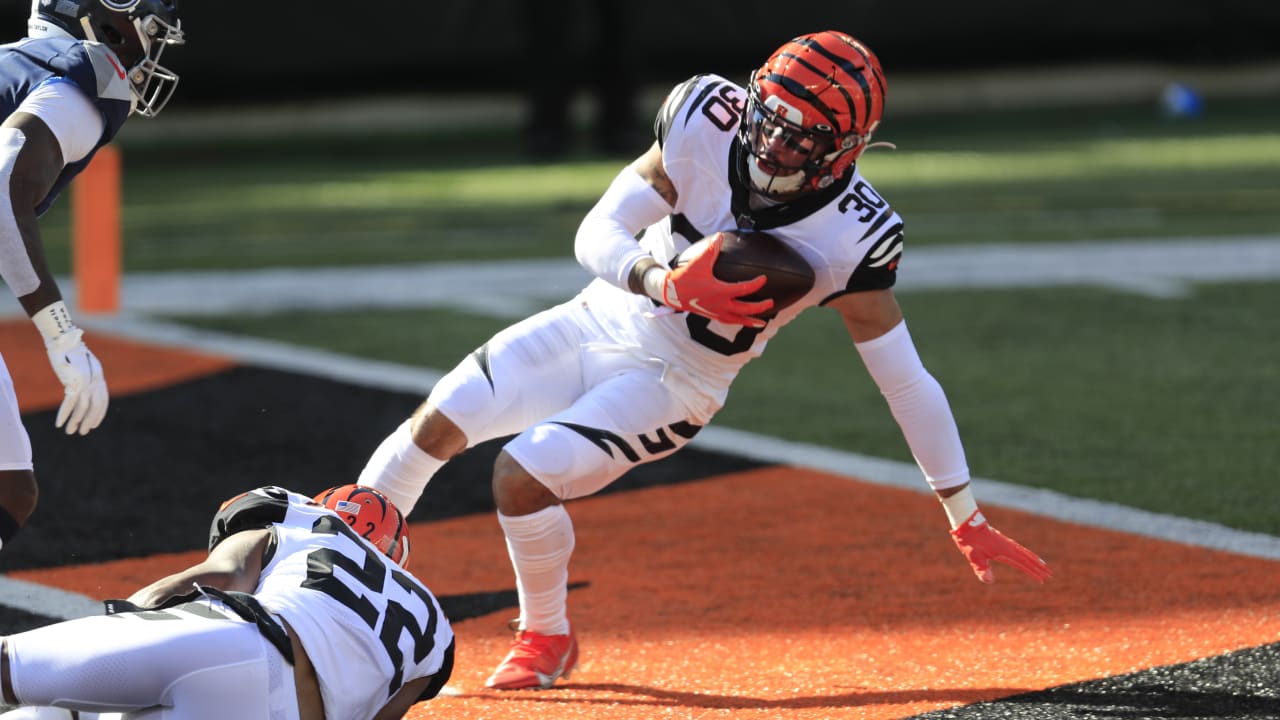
pixel 606 243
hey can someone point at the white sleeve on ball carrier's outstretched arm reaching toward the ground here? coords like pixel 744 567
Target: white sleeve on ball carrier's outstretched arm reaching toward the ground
pixel 920 407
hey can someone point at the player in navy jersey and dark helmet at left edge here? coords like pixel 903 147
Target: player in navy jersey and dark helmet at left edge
pixel 85 67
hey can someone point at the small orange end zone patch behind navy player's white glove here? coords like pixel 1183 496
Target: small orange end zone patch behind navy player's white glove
pixel 130 367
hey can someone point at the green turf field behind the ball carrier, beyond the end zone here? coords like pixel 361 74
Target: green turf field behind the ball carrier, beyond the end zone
pixel 1169 404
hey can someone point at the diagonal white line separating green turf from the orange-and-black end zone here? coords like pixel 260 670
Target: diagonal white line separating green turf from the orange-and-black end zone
pixel 403 379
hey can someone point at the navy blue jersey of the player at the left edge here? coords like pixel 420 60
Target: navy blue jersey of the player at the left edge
pixel 30 63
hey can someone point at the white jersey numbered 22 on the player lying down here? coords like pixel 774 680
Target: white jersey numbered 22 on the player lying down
pixel 368 626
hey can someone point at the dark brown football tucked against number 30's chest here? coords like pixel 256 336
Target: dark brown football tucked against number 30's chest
pixel 751 254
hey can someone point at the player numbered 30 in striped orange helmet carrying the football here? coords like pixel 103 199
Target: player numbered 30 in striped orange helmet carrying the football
pixel 632 368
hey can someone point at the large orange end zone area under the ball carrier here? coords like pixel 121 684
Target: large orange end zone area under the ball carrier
pixel 793 594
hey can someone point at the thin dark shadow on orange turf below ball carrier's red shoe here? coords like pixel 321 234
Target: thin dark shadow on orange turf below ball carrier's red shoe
pixel 646 696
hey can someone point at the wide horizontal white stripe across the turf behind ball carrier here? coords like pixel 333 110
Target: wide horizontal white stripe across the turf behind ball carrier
pixel 515 289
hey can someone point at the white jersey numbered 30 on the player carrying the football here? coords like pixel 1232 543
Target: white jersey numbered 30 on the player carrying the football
pixel 848 234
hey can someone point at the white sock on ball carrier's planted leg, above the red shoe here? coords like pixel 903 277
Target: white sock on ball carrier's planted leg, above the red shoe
pixel 541 545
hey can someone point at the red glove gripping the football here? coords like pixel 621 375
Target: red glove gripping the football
pixel 694 289
